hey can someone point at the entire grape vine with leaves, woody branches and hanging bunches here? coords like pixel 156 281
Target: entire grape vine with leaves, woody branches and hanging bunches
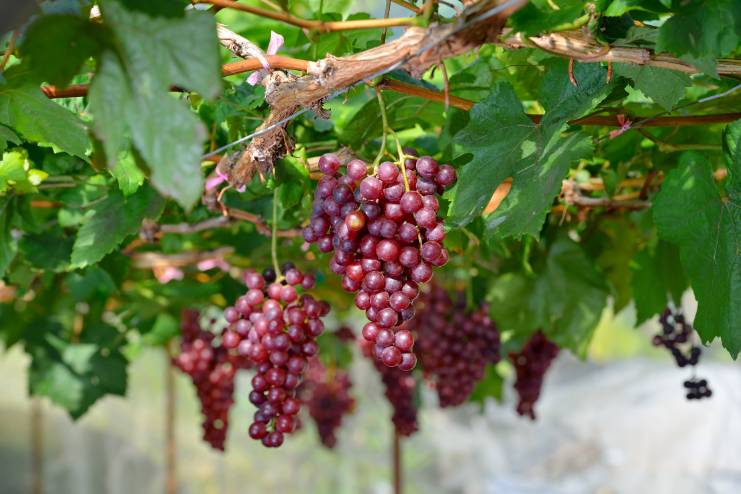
pixel 551 162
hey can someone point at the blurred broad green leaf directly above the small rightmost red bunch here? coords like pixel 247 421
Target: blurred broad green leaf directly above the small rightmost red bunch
pixel 565 299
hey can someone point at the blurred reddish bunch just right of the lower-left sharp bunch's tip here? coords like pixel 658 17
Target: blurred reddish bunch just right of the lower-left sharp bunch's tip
pixel 326 393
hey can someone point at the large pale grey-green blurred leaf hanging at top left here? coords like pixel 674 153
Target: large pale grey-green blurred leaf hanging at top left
pixel 130 91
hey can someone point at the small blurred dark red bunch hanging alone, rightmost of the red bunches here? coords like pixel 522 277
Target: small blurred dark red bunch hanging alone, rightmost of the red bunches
pixel 531 363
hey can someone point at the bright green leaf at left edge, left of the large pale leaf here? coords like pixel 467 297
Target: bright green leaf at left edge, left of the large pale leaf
pixel 29 112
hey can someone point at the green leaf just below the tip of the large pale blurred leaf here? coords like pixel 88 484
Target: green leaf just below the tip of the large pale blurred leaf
pixel 110 222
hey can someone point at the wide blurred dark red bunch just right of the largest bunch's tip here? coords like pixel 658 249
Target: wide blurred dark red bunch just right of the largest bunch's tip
pixel 454 345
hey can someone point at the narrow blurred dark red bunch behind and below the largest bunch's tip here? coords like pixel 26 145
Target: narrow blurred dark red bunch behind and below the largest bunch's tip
pixel 399 389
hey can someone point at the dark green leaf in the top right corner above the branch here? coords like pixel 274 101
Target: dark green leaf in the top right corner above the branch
pixel 701 32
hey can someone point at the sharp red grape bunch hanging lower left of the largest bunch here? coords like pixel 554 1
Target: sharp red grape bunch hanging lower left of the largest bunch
pixel 276 327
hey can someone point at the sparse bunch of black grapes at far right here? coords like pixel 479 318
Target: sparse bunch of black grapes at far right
pixel 677 336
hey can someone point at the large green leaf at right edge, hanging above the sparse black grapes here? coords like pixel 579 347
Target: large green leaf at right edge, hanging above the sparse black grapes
pixel 692 211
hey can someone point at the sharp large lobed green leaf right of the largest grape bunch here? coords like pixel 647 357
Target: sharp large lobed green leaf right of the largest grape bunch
pixel 506 143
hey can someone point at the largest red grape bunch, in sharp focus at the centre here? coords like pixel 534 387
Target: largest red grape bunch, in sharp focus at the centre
pixel 384 229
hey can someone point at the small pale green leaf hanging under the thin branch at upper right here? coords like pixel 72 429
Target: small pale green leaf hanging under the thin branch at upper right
pixel 664 86
